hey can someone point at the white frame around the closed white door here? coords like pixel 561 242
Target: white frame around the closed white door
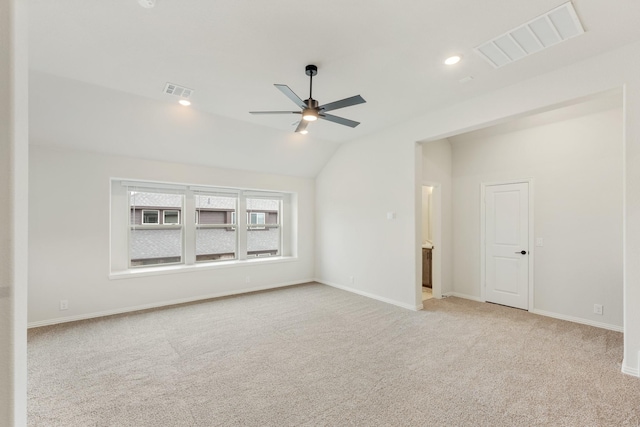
pixel 530 249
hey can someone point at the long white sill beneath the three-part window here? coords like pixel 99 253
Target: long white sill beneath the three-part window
pixel 173 269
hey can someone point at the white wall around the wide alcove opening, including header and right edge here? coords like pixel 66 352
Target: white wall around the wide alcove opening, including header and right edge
pixel 378 173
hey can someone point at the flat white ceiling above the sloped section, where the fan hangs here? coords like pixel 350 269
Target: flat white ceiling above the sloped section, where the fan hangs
pixel 231 52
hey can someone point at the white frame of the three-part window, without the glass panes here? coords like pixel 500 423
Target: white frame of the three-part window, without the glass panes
pixel 188 221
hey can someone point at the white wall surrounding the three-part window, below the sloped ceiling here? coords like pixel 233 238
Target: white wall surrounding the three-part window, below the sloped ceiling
pixel 69 236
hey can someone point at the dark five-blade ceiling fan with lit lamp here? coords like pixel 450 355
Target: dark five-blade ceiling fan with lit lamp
pixel 311 111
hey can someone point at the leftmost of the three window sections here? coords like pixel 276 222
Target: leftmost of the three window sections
pixel 149 242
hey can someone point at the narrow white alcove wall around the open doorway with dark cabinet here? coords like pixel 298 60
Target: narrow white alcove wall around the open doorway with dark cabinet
pixel 437 168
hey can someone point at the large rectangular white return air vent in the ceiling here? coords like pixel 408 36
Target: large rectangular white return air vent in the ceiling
pixel 553 27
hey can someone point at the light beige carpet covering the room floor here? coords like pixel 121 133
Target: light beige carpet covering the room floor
pixel 312 355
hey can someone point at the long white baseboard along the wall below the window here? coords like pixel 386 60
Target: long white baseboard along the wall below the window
pixel 161 304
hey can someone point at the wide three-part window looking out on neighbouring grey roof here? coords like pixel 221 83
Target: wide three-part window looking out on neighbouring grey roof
pixel 178 224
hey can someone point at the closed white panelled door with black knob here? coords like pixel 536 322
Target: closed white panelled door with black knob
pixel 507 244
